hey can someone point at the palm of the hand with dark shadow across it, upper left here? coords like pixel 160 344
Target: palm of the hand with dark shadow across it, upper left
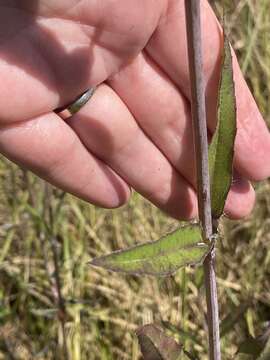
pixel 53 52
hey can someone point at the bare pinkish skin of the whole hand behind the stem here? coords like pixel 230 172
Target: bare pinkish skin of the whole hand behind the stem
pixel 135 132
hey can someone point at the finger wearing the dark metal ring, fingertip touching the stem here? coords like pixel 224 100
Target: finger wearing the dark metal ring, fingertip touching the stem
pixel 108 129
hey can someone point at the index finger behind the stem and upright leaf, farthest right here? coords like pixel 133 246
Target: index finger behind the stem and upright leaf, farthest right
pixel 168 47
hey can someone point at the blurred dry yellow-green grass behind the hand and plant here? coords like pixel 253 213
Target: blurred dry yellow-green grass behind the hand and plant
pixel 48 237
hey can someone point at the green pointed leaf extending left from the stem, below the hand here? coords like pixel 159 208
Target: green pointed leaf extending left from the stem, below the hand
pixel 162 257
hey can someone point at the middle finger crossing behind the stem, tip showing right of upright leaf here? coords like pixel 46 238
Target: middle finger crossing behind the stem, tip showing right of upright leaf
pixel 164 115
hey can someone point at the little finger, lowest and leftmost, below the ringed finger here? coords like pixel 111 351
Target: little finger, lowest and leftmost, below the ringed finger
pixel 51 149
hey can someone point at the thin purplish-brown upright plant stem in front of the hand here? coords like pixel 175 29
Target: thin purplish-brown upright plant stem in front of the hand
pixel 193 25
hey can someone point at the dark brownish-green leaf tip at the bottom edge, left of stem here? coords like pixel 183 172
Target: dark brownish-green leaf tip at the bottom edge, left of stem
pixel 156 345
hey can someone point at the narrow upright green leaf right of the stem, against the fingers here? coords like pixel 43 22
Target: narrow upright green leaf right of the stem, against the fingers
pixel 221 149
